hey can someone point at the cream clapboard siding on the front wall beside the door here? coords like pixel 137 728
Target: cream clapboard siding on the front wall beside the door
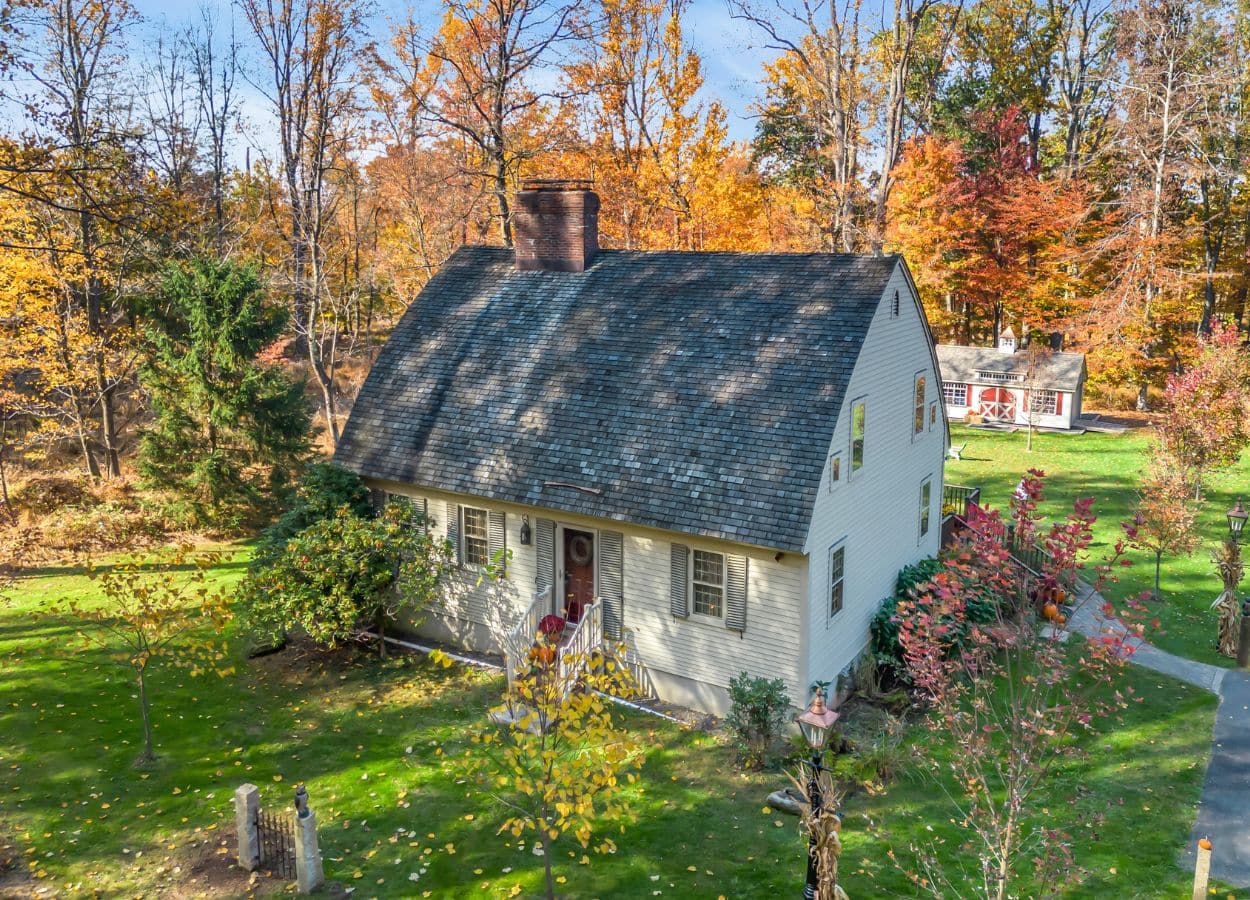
pixel 689 662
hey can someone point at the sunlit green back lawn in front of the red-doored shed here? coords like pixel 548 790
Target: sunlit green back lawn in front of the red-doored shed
pixel 1108 468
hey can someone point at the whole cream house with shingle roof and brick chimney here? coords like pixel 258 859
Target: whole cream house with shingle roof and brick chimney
pixel 726 457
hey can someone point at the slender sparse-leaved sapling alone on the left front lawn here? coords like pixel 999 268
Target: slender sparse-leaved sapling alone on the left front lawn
pixel 149 611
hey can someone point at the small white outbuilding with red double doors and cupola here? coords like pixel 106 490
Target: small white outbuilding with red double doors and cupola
pixel 1013 387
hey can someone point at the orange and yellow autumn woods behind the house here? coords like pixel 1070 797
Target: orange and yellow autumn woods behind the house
pixel 1054 166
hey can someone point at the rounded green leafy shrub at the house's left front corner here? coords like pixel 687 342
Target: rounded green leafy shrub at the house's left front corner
pixel 346 574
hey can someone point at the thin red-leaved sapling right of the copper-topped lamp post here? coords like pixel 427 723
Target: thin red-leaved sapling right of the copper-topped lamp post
pixel 1012 702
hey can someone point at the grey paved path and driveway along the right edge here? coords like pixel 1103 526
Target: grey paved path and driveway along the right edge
pixel 1224 811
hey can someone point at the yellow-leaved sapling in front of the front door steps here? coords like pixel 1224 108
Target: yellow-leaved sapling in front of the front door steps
pixel 561 758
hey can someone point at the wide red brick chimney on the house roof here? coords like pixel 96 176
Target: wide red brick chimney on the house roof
pixel 556 226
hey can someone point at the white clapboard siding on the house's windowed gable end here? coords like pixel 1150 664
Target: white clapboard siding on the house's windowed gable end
pixel 876 512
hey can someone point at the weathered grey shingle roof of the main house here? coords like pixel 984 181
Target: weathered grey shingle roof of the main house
pixel 688 392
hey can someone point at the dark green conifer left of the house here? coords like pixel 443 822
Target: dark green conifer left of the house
pixel 228 428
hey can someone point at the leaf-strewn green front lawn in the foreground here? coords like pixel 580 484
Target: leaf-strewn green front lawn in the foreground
pixel 376 741
